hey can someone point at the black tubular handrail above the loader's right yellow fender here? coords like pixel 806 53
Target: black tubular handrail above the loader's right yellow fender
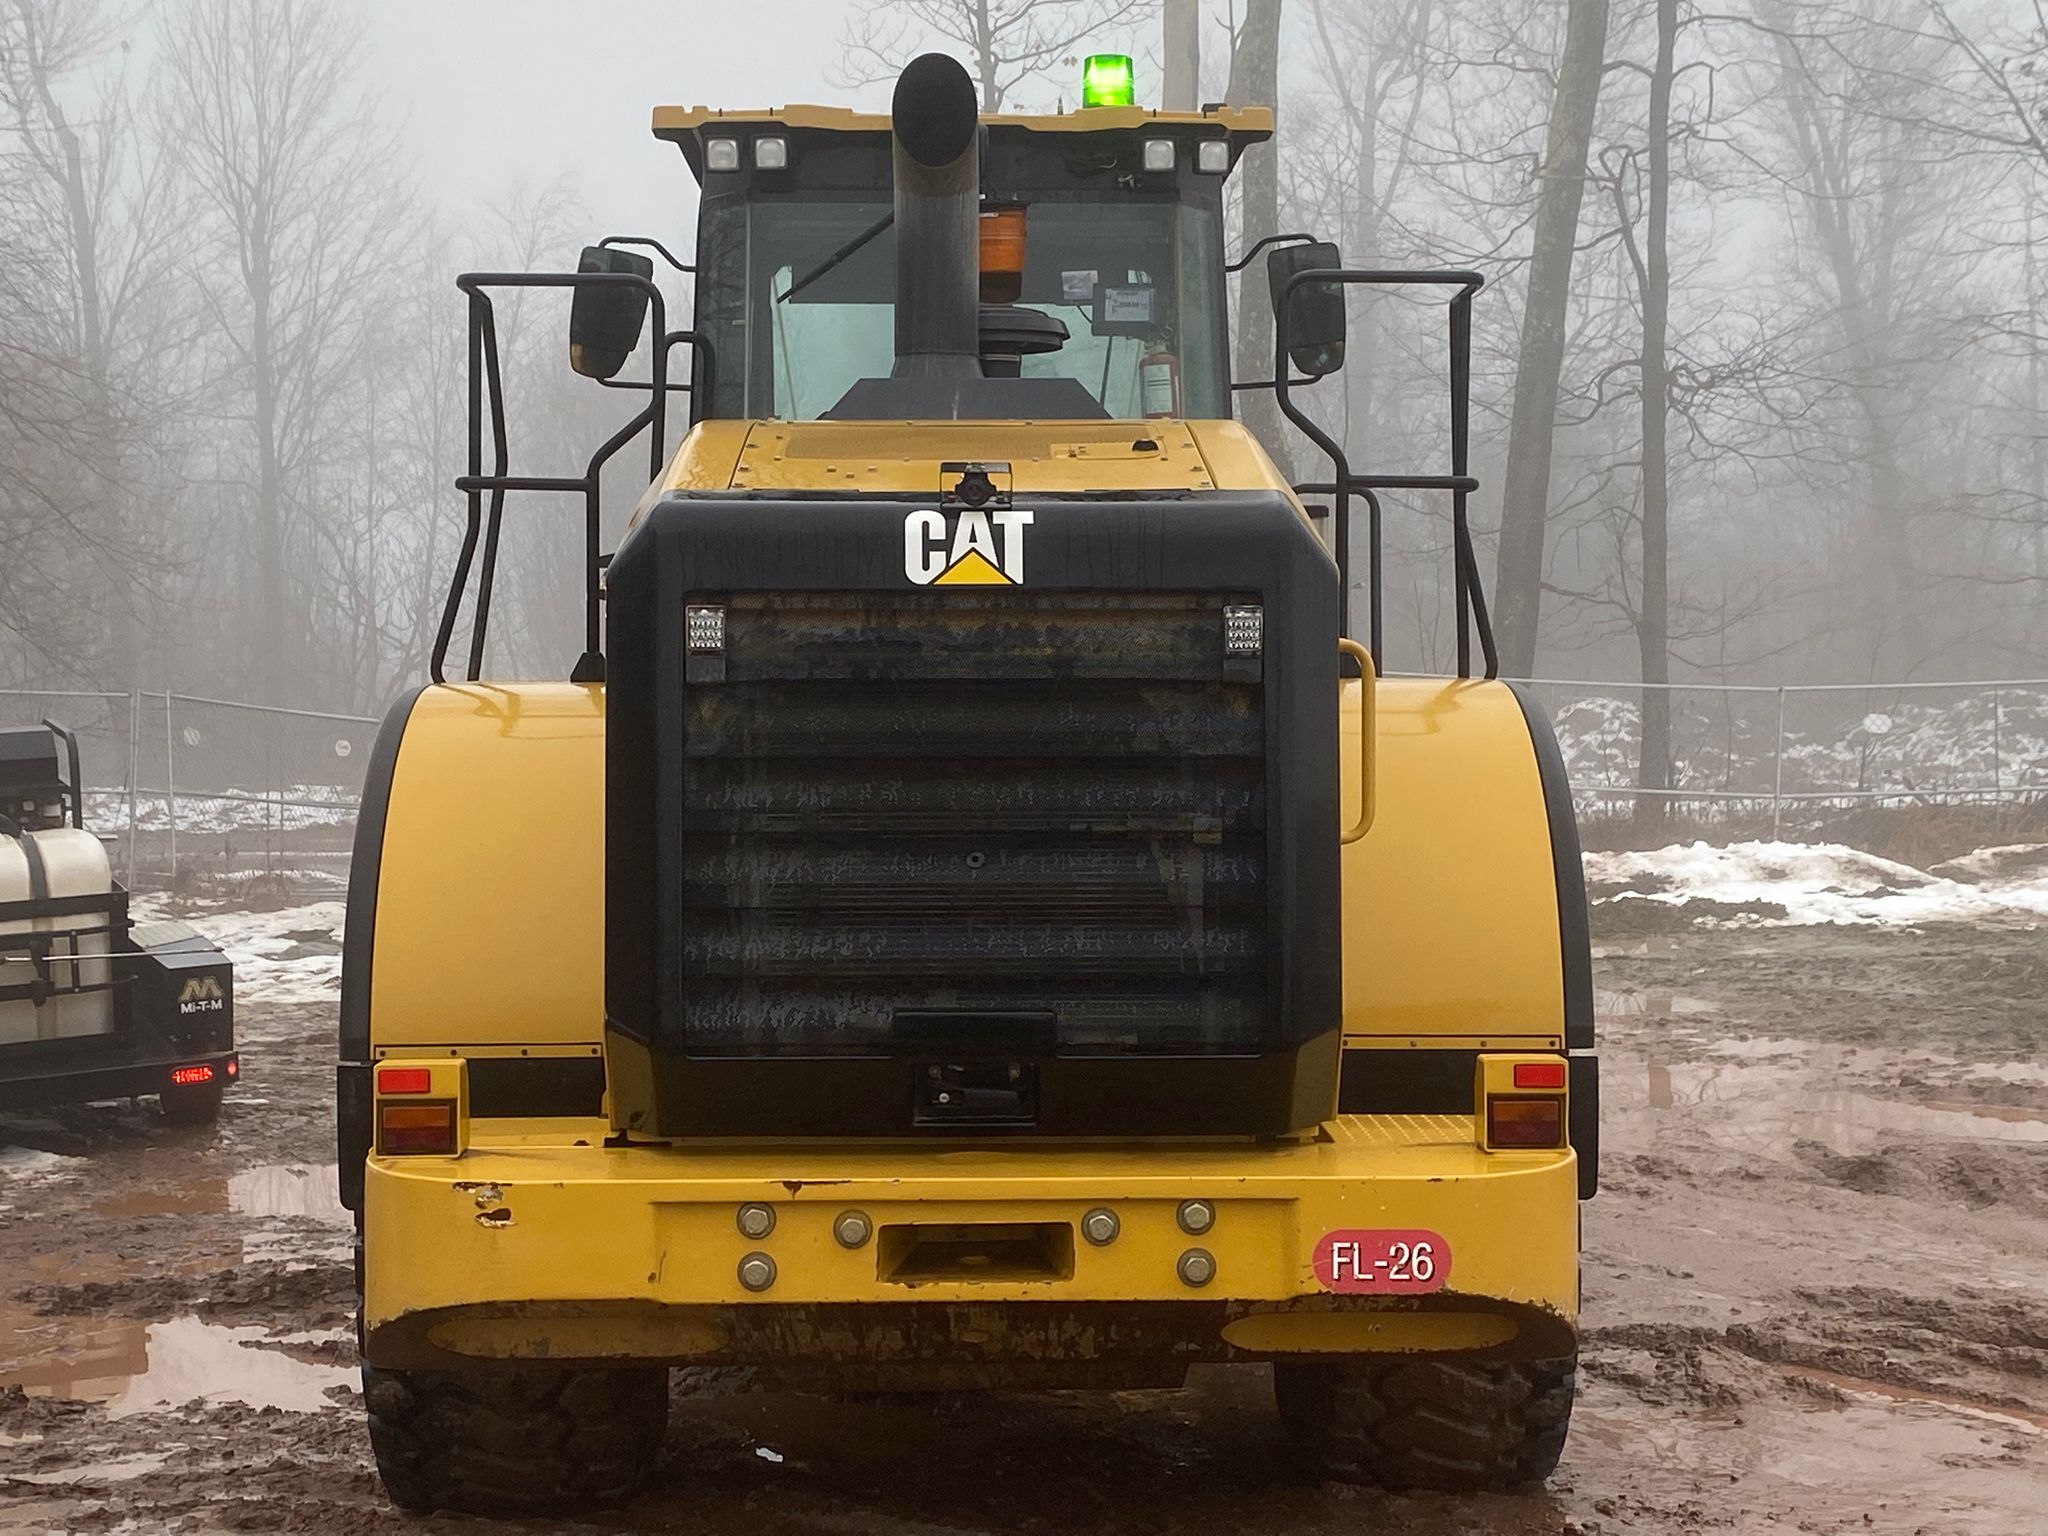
pixel 1471 597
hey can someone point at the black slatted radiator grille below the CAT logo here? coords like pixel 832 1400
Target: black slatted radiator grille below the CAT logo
pixel 988 800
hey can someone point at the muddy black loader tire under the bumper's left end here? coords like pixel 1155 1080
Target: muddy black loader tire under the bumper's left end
pixel 515 1441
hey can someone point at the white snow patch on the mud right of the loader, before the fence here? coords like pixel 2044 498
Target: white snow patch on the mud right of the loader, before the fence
pixel 1816 884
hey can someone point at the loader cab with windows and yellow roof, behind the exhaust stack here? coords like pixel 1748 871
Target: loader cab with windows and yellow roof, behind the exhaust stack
pixel 1101 257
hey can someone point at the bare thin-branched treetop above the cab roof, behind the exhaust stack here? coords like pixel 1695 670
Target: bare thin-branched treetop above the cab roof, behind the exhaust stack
pixel 1007 44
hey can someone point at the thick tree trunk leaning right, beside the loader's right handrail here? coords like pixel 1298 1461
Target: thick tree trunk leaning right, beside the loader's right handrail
pixel 1541 361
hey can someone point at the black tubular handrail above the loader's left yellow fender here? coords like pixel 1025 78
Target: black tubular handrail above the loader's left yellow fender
pixel 486 384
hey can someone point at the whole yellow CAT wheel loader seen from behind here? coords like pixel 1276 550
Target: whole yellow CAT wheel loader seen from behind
pixel 974 919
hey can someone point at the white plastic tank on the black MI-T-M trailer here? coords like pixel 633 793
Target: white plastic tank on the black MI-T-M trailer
pixel 75 865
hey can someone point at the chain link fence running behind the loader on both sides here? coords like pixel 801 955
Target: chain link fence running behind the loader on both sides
pixel 210 796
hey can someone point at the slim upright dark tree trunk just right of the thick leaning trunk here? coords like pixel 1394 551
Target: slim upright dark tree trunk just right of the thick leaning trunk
pixel 1654 626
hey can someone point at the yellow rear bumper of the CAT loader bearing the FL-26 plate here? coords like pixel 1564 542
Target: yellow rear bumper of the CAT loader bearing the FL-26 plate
pixel 589 1252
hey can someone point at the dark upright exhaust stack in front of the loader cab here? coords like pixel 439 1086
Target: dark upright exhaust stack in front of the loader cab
pixel 937 167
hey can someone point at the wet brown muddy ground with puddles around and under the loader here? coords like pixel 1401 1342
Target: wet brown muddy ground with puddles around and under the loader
pixel 1818 1302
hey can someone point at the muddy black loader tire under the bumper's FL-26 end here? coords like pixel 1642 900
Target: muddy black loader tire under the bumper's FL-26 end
pixel 1428 1424
